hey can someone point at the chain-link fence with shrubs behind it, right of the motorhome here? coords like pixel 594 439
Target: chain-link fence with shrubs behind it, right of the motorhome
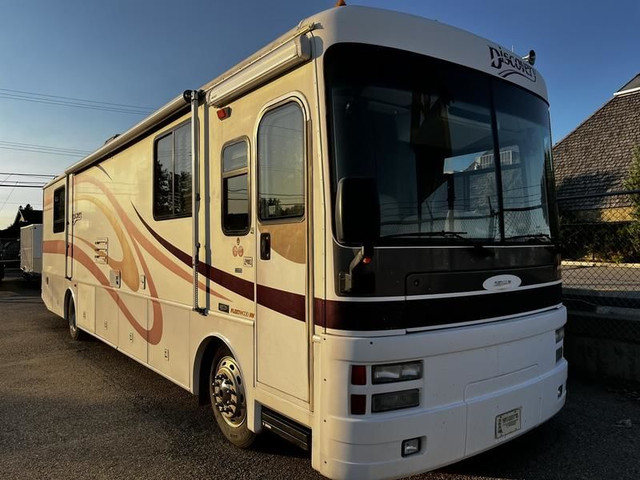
pixel 600 246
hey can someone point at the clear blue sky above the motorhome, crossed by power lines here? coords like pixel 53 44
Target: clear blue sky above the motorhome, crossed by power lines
pixel 144 53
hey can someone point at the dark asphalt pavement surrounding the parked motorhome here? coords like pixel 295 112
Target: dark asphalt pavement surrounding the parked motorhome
pixel 83 410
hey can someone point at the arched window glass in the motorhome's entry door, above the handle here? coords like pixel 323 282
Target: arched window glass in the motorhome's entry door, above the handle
pixel 281 163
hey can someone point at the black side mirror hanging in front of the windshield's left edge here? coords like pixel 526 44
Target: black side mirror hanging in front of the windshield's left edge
pixel 357 211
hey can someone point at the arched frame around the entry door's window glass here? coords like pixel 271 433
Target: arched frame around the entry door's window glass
pixel 296 99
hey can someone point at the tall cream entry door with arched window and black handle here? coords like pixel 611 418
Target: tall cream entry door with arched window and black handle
pixel 281 292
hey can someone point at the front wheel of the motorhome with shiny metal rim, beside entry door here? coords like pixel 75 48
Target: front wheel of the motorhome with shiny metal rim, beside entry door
pixel 228 401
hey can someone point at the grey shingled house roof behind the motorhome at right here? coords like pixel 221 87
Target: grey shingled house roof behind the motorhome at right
pixel 595 157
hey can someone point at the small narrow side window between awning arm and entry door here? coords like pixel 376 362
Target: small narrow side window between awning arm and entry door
pixel 235 189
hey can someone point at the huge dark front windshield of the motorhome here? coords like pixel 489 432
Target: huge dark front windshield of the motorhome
pixel 429 133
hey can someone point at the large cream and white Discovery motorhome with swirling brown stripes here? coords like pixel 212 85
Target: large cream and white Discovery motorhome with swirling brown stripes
pixel 322 243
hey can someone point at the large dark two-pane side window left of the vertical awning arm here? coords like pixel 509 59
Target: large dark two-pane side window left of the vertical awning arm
pixel 172 174
